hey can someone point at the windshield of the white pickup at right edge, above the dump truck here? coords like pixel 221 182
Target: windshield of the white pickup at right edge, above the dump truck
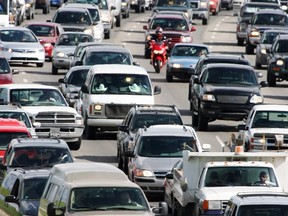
pixel 270 119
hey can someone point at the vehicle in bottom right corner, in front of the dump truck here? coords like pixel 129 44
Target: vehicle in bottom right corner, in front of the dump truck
pixel 257 203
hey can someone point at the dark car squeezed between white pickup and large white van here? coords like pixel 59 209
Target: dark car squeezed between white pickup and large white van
pixel 71 84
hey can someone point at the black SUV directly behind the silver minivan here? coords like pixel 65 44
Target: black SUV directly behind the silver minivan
pixel 140 116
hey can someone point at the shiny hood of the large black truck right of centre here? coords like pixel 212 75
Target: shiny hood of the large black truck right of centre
pixel 233 90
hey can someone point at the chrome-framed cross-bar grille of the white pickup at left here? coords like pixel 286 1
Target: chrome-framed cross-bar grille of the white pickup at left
pixel 55 118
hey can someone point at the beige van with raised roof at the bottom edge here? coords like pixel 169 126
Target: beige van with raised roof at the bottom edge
pixel 90 188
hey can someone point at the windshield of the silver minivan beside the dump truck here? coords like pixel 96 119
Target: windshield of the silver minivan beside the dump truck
pixel 165 146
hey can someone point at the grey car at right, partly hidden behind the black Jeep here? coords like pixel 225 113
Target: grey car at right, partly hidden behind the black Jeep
pixel 265 43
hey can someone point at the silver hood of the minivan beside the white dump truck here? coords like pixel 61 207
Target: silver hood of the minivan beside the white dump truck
pixel 156 164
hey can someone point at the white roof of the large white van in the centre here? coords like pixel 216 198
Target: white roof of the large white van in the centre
pixel 118 68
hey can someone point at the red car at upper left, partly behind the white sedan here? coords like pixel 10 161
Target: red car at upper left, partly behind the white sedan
pixel 47 33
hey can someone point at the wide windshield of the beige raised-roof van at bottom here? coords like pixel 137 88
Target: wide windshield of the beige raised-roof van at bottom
pixel 107 199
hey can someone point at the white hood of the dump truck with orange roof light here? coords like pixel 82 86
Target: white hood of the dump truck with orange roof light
pixel 225 193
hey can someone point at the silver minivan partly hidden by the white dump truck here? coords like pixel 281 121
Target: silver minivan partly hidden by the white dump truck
pixel 153 152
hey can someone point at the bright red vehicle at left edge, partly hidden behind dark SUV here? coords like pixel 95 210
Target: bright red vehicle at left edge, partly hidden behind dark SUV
pixel 10 129
